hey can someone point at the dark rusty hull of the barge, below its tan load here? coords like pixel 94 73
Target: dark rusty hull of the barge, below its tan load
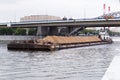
pixel 32 46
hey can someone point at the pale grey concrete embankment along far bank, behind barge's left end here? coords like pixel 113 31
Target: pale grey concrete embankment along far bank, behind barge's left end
pixel 7 39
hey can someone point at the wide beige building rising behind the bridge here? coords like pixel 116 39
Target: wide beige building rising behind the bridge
pixel 39 17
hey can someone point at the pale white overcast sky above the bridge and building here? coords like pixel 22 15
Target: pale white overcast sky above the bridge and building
pixel 12 10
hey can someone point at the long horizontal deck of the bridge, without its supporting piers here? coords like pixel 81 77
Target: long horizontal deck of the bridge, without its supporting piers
pixel 67 23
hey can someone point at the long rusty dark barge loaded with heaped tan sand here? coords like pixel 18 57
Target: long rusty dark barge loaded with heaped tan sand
pixel 51 43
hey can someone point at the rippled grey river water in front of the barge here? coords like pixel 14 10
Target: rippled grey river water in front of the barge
pixel 85 63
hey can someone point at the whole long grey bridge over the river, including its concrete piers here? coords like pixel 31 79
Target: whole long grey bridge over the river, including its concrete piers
pixel 52 27
